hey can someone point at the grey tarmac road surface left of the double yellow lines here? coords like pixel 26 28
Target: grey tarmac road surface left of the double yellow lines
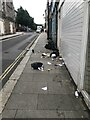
pixel 12 47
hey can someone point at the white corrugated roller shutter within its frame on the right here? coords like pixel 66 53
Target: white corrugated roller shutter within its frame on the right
pixel 71 35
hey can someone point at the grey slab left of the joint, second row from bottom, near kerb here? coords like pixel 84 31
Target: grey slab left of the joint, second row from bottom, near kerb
pixel 22 101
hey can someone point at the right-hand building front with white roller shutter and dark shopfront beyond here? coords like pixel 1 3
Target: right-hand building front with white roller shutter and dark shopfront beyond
pixel 73 40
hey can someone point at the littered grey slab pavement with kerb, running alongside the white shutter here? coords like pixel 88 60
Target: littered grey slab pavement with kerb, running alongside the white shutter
pixel 48 93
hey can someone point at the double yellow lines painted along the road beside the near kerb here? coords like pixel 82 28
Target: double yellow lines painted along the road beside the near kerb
pixel 6 72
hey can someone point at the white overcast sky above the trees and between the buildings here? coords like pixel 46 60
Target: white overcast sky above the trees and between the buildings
pixel 36 8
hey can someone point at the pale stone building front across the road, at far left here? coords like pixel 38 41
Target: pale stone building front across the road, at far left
pixel 8 17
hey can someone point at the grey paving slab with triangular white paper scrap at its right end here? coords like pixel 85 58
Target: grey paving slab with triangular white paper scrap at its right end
pixel 30 87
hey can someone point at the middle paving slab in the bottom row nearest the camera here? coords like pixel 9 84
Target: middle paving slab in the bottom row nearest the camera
pixel 37 114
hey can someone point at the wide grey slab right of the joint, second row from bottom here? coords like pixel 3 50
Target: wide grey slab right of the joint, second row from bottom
pixel 60 102
